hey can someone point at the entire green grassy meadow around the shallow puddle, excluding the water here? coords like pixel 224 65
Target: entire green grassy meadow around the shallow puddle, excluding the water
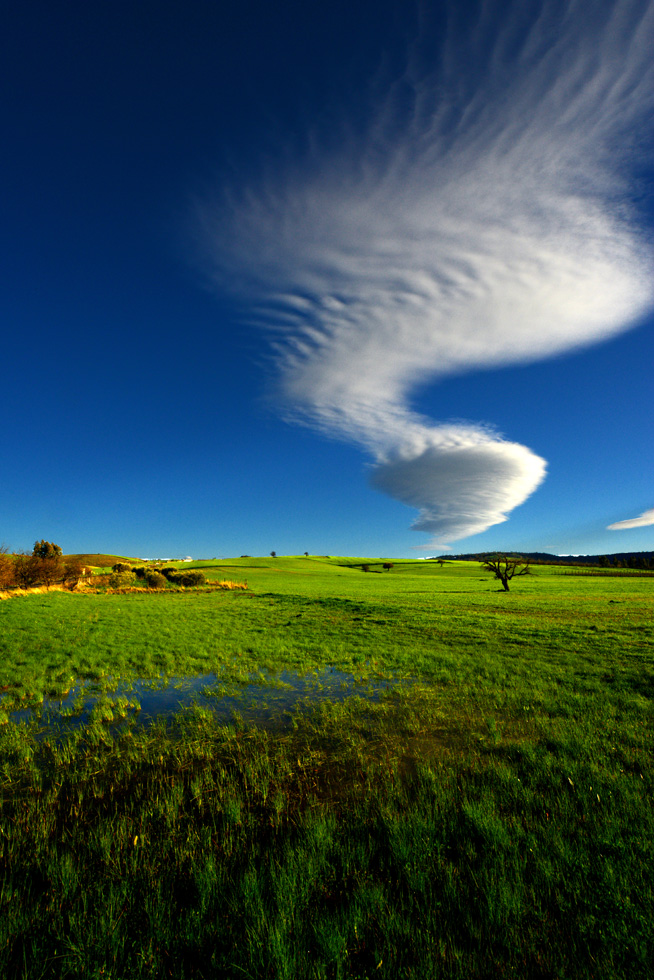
pixel 489 816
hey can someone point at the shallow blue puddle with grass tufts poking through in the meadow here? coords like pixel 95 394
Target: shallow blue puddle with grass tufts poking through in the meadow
pixel 262 701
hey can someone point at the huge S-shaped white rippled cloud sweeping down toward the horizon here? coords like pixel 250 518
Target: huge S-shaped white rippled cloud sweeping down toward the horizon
pixel 480 221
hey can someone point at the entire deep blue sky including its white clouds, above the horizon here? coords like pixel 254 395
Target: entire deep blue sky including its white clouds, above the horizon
pixel 364 279
